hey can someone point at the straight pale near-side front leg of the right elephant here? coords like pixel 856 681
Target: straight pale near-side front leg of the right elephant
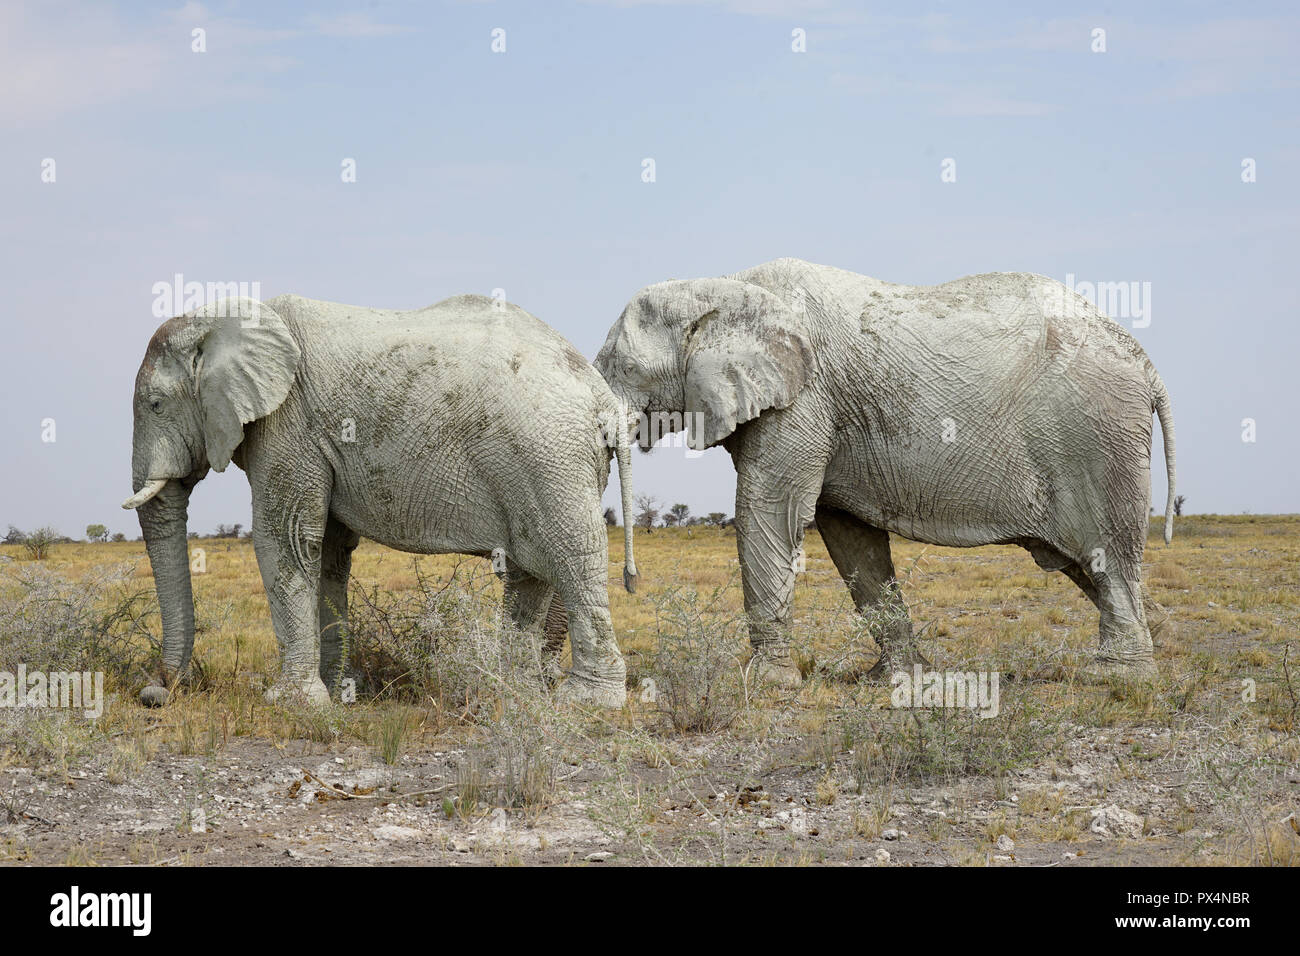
pixel 769 537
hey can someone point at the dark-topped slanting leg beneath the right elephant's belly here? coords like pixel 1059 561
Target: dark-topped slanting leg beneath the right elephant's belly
pixel 861 555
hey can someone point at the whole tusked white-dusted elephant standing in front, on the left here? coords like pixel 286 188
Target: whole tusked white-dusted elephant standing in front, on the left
pixel 474 429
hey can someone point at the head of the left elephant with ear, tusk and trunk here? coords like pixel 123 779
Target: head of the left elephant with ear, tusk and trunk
pixel 205 377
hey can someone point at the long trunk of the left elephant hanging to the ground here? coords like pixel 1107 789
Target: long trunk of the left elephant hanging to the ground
pixel 163 522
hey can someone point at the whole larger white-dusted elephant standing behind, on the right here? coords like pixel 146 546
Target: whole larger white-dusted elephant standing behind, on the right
pixel 998 409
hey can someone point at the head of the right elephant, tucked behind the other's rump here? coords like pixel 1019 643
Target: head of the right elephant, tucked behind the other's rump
pixel 716 352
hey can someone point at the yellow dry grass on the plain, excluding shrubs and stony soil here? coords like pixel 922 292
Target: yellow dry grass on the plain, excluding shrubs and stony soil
pixel 1232 583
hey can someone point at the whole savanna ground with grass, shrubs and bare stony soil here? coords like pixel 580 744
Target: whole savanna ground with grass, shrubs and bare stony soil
pixel 457 754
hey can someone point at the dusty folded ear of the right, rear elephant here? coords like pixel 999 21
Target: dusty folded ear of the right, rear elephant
pixel 747 353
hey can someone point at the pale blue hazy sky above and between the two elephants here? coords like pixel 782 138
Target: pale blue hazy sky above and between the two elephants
pixel 522 171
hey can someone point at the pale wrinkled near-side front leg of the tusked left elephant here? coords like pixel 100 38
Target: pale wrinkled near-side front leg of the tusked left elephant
pixel 289 557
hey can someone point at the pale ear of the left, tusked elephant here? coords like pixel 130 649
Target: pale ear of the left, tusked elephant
pixel 245 361
